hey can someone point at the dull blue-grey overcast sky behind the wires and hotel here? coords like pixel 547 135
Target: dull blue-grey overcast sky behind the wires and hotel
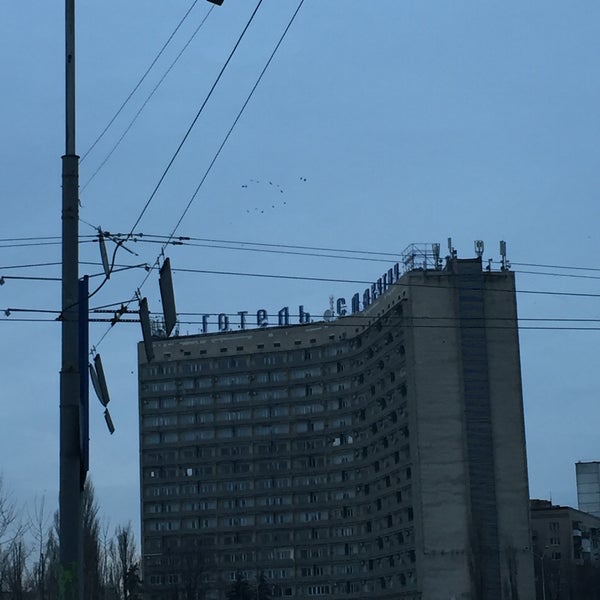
pixel 378 124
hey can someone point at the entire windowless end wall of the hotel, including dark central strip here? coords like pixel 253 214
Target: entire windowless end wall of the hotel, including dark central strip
pixel 469 439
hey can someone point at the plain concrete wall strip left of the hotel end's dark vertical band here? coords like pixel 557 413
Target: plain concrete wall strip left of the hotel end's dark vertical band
pixel 438 440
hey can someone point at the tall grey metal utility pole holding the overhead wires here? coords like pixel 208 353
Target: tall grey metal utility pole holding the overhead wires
pixel 70 495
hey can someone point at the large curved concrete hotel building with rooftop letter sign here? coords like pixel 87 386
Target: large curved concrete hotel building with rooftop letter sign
pixel 378 453
